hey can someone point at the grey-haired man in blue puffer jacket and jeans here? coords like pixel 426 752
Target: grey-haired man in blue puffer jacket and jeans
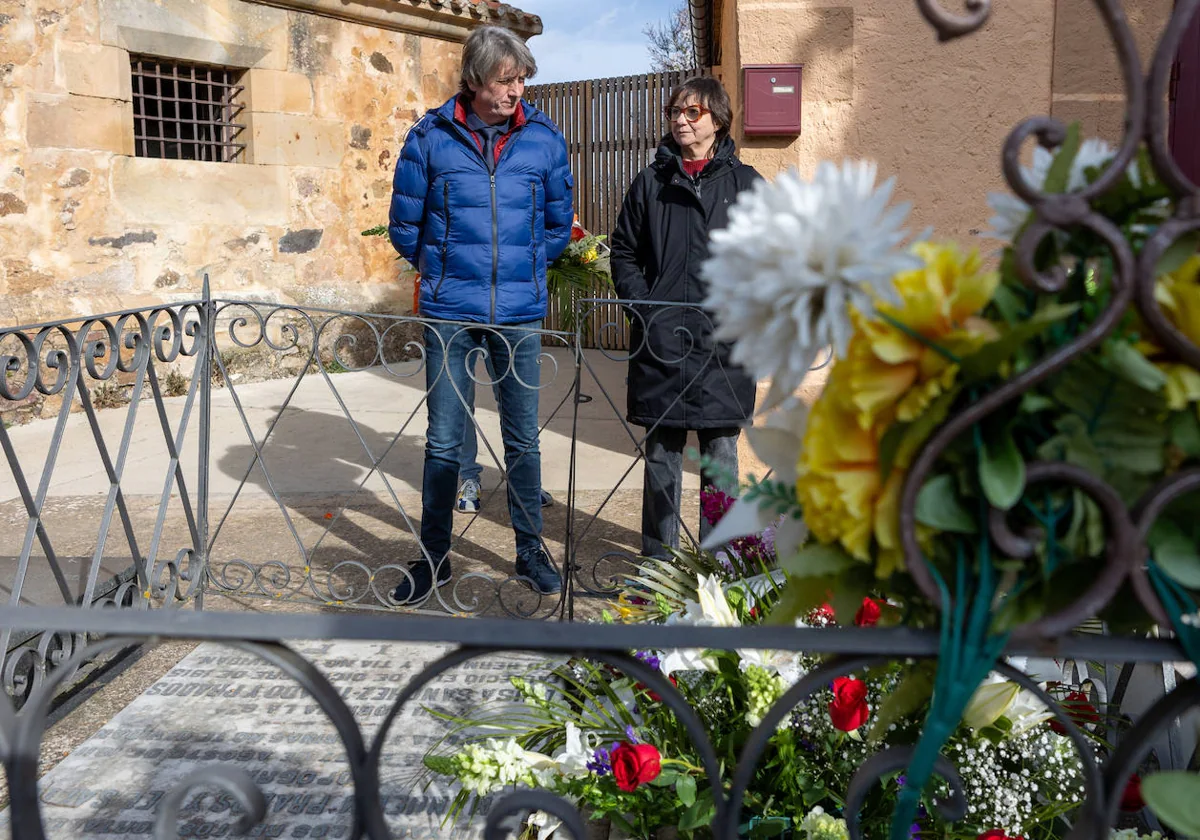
pixel 482 203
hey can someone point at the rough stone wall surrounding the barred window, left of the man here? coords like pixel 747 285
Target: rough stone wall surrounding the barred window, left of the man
pixel 87 227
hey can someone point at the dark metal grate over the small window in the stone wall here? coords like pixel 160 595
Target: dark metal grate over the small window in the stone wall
pixel 187 112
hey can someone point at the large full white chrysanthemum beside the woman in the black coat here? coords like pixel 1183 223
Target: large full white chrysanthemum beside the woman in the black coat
pixel 796 256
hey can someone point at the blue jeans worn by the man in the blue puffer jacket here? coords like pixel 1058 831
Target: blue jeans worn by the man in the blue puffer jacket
pixel 451 351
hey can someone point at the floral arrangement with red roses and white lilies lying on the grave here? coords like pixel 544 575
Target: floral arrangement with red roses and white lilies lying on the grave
pixel 605 740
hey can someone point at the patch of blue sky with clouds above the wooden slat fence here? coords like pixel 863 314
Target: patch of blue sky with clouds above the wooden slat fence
pixel 592 39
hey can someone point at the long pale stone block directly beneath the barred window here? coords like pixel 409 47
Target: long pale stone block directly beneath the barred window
pixel 149 191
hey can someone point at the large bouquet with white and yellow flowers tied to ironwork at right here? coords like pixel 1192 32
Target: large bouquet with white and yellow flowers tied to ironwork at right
pixel 983 435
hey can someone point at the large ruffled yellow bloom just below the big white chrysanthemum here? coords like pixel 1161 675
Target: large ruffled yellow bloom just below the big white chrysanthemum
pixel 897 363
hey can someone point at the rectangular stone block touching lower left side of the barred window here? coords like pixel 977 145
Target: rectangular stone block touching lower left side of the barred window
pixel 81 123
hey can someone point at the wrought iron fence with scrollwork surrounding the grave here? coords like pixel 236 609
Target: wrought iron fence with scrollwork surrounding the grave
pixel 55 361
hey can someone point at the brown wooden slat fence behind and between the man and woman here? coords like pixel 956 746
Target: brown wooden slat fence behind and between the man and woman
pixel 613 129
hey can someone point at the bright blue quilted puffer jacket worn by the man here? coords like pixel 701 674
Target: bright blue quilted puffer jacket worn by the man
pixel 482 242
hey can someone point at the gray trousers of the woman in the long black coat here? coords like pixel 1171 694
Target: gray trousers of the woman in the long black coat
pixel 663 483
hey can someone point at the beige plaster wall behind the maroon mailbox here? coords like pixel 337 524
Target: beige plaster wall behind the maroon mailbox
pixel 879 86
